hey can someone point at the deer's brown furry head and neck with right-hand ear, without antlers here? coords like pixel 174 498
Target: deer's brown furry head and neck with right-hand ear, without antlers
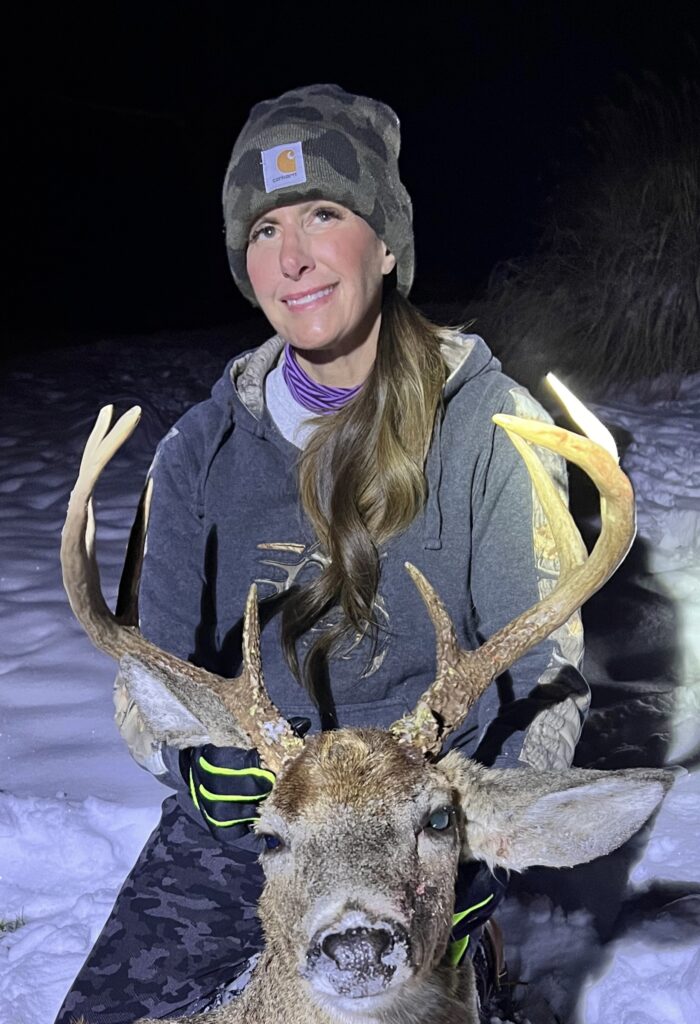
pixel 358 852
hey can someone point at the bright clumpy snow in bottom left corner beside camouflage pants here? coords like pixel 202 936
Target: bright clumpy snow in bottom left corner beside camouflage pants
pixel 62 865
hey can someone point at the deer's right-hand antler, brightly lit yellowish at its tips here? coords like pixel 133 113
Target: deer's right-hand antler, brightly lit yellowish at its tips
pixel 462 676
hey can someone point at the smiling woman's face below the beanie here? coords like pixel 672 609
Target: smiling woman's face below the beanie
pixel 317 270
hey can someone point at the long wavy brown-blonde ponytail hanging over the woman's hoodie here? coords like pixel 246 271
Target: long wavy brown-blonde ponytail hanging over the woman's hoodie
pixel 362 482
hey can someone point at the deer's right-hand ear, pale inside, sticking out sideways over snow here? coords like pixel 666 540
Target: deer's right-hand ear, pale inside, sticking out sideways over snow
pixel 519 818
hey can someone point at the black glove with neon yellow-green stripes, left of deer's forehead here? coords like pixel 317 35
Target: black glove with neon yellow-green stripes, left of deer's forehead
pixel 228 785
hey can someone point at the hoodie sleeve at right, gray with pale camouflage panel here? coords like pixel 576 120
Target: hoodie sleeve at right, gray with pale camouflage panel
pixel 536 712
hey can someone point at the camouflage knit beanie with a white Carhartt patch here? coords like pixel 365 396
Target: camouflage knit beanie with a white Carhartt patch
pixel 319 143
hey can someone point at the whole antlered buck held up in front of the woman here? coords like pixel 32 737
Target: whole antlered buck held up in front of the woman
pixel 365 829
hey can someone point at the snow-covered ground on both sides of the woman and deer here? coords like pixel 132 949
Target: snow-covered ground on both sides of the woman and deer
pixel 614 944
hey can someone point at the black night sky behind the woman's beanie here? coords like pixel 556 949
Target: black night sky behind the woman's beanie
pixel 120 120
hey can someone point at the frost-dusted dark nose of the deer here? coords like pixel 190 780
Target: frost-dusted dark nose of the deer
pixel 360 961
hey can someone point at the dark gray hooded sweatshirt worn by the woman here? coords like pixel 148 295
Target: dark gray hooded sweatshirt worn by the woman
pixel 227 513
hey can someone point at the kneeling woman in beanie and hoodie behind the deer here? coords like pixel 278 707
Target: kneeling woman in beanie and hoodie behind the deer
pixel 358 438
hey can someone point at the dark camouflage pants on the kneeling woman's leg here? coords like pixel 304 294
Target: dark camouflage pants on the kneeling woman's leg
pixel 183 929
